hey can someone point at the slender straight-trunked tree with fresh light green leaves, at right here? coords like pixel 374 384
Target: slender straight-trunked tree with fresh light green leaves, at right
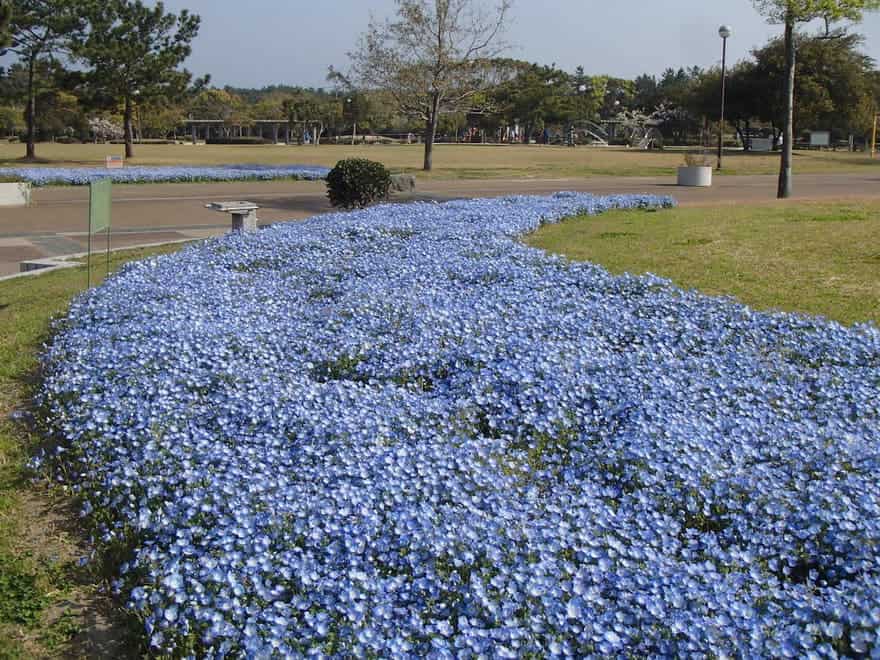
pixel 789 13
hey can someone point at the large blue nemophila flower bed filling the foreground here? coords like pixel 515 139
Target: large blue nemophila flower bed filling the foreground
pixel 400 432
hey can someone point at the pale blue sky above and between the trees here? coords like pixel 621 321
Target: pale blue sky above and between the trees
pixel 256 43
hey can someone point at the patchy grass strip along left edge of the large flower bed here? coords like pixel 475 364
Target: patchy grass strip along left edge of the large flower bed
pixel 45 597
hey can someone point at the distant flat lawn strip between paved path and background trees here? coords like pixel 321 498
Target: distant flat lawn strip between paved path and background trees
pixel 450 161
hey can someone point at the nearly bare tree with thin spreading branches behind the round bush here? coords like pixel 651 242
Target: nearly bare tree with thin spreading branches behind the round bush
pixel 433 57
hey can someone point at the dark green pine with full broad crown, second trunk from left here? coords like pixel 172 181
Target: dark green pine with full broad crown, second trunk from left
pixel 134 51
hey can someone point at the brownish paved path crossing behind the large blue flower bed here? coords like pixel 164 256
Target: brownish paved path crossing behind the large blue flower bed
pixel 153 213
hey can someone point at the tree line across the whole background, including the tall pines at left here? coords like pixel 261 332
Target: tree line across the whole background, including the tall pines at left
pixel 119 61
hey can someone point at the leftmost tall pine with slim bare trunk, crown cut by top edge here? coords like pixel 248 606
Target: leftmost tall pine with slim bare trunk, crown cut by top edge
pixel 40 31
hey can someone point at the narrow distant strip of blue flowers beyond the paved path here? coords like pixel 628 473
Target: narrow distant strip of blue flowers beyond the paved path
pixel 81 176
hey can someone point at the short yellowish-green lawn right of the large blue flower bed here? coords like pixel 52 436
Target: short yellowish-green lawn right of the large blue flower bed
pixel 815 258
